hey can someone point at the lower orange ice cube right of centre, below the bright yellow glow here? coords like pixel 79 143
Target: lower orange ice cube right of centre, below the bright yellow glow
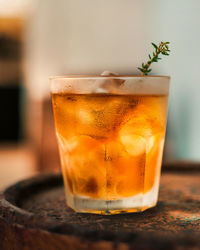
pixel 125 172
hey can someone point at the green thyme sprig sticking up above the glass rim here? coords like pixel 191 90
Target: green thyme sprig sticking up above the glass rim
pixel 163 49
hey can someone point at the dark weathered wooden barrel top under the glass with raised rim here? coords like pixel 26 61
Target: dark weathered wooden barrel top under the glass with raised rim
pixel 34 215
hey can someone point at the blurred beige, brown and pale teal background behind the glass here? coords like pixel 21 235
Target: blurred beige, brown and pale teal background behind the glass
pixel 41 38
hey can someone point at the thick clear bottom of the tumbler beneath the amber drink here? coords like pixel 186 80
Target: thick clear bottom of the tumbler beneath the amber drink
pixel 137 203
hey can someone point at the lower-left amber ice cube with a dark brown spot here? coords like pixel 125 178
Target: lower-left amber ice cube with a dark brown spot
pixel 83 159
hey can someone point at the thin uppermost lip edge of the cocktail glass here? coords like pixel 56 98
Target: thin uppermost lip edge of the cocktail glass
pixel 106 76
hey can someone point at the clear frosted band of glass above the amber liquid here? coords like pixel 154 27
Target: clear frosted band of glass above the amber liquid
pixel 112 84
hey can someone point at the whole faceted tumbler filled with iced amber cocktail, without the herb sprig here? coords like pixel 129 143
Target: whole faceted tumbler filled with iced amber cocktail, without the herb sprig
pixel 111 133
